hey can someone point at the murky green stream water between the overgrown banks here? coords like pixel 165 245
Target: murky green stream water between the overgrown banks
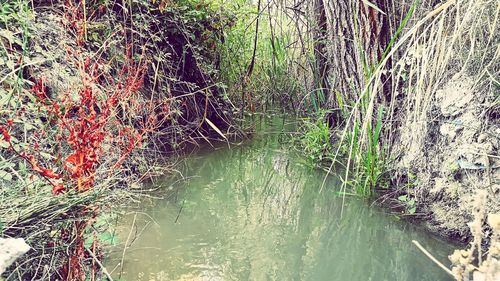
pixel 254 212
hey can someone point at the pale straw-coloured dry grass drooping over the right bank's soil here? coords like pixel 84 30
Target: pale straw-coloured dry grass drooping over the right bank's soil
pixel 447 45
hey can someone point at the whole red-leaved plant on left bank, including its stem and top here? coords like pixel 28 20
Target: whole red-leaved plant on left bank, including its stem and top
pixel 89 122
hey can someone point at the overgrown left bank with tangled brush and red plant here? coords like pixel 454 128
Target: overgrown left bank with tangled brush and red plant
pixel 91 104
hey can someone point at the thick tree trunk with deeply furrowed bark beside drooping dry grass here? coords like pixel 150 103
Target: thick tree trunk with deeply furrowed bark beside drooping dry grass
pixel 358 35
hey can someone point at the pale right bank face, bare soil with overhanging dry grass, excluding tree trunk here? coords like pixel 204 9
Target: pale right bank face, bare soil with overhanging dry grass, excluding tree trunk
pixel 444 133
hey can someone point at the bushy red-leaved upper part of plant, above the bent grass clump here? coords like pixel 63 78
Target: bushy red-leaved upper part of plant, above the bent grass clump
pixel 85 123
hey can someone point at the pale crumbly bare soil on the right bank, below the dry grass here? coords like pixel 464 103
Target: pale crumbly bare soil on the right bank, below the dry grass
pixel 457 157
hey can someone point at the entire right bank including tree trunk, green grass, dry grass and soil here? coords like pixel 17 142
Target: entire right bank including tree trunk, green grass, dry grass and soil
pixel 415 110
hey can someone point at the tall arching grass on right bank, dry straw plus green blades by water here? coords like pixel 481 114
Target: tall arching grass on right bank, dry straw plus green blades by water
pixel 422 61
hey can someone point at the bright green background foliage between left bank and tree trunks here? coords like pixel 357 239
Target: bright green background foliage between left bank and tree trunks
pixel 271 80
